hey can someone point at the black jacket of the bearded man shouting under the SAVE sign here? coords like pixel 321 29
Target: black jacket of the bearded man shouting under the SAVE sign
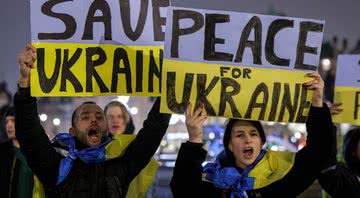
pixel 107 179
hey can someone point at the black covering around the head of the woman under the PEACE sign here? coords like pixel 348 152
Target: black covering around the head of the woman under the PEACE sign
pixel 227 134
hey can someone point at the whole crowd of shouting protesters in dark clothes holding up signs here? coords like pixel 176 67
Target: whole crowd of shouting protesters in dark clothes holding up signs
pixel 101 157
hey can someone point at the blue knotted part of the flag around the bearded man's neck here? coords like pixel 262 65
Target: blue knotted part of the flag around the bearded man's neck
pixel 89 155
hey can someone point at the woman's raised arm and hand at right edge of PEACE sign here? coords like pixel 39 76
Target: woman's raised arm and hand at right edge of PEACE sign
pixel 312 158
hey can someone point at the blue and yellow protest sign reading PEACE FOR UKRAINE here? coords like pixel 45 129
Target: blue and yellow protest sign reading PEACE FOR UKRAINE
pixel 239 64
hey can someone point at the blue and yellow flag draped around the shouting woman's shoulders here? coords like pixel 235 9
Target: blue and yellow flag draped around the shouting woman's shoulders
pixel 268 167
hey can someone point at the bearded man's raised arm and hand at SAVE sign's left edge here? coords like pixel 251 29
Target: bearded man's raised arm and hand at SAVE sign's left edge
pixel 34 143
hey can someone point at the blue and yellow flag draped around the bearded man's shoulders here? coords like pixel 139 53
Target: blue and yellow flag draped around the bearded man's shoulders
pixel 110 148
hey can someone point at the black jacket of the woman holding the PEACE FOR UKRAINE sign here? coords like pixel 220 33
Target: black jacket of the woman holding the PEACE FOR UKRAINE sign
pixel 187 177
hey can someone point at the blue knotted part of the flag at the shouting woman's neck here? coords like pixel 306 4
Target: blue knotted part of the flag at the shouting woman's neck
pixel 229 177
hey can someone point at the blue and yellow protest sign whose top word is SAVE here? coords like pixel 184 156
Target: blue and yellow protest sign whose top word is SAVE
pixel 98 47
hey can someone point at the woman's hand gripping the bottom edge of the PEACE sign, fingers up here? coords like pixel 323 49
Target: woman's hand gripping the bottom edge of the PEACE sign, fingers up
pixel 194 122
